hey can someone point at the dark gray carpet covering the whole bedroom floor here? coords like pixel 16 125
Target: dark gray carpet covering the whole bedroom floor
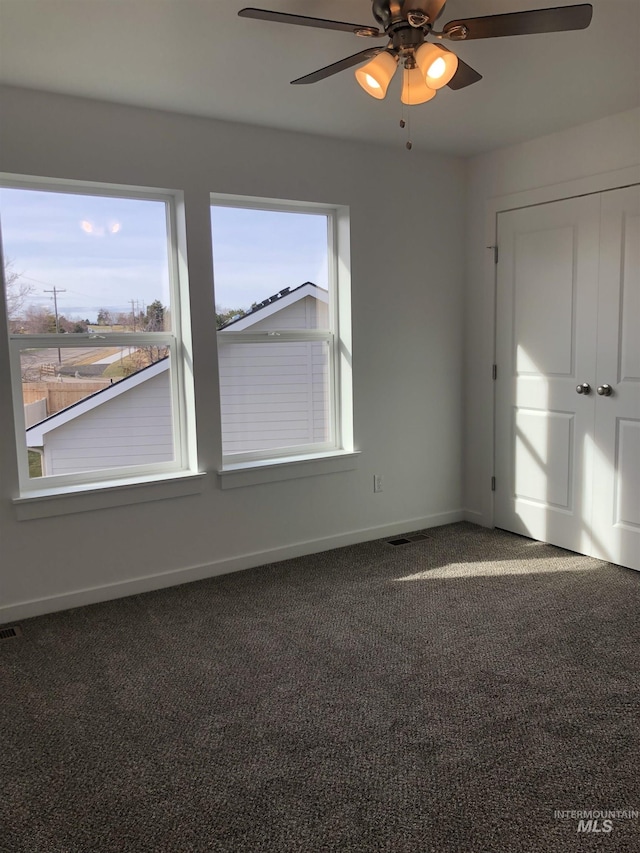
pixel 447 695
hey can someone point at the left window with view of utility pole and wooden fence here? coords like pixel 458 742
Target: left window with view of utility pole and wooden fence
pixel 95 338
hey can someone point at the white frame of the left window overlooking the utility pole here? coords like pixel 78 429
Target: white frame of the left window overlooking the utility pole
pixel 177 340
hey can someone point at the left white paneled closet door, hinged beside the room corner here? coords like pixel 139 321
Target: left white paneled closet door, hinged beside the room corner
pixel 547 292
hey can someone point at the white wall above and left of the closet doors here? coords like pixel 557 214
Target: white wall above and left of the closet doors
pixel 591 155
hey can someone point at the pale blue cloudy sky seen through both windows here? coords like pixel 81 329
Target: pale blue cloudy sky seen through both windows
pixel 104 252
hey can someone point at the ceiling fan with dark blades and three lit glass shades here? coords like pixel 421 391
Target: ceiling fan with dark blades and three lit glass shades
pixel 428 66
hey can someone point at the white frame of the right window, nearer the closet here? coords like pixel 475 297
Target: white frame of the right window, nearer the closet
pixel 337 337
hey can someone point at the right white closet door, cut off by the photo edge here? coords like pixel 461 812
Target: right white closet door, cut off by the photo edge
pixel 616 450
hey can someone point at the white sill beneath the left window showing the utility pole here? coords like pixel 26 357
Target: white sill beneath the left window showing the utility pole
pixel 95 496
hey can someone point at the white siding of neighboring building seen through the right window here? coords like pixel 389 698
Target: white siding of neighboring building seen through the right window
pixel 276 394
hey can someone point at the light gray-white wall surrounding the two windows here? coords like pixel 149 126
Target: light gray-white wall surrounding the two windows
pixel 407 348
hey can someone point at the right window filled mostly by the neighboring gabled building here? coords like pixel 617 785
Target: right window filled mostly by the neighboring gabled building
pixel 280 291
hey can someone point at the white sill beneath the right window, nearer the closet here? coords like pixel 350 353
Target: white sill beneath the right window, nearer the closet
pixel 235 475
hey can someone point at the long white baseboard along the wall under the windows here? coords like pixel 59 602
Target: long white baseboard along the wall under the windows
pixel 148 583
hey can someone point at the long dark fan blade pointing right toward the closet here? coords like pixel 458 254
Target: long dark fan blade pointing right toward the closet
pixel 554 20
